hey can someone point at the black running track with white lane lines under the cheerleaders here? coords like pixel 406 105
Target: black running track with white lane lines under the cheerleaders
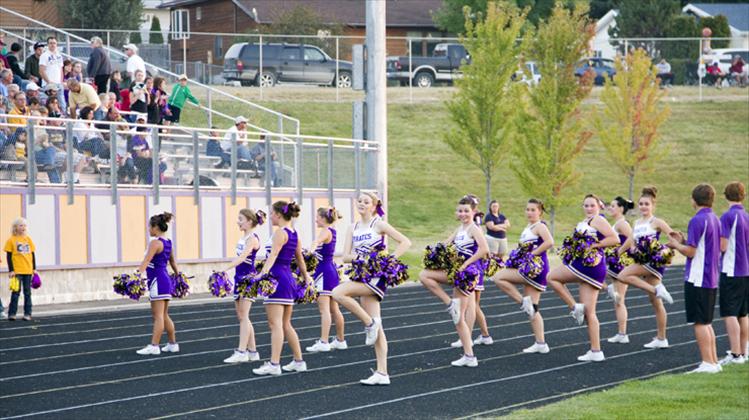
pixel 85 366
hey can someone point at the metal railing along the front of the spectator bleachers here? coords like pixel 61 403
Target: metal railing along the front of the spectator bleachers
pixel 181 160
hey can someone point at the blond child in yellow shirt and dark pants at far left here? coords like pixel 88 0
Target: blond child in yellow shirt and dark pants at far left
pixel 20 253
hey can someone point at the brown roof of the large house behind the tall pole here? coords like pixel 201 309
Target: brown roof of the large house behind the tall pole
pixel 400 13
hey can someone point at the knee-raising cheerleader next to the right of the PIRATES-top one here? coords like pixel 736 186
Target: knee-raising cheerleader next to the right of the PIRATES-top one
pixel 471 244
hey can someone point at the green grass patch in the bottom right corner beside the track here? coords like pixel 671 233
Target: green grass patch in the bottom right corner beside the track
pixel 720 396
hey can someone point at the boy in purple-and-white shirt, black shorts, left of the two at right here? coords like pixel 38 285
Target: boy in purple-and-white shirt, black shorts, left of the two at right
pixel 702 249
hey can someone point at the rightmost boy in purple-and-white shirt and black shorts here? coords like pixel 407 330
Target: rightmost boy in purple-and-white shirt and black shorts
pixel 734 276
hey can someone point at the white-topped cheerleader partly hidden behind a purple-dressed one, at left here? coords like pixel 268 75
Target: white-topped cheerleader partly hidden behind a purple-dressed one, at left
pixel 244 265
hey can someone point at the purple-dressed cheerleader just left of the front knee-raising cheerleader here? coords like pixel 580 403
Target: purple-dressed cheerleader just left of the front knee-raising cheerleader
pixel 326 279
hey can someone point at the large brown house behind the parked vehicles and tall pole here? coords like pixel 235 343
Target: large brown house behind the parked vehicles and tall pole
pixel 405 18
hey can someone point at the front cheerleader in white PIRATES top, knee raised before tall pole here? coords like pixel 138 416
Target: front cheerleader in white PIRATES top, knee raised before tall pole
pixel 366 234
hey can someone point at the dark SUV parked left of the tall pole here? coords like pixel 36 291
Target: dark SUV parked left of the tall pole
pixel 284 63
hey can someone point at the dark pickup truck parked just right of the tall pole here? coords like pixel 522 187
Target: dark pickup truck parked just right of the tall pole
pixel 442 66
